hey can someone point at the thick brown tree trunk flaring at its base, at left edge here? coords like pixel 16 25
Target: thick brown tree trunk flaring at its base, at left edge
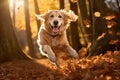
pixel 9 47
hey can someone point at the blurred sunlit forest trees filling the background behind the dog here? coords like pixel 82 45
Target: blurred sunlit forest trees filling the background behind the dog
pixel 97 28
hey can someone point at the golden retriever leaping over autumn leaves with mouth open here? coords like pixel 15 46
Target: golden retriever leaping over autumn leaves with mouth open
pixel 52 33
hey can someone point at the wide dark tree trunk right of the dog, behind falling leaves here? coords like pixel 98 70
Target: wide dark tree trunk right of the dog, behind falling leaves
pixel 98 27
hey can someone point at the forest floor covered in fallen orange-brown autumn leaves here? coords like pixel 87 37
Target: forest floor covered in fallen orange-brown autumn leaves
pixel 100 67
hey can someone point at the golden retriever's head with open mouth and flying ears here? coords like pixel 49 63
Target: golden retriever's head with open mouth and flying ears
pixel 56 21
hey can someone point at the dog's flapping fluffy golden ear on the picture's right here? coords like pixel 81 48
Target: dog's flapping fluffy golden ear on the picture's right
pixel 70 15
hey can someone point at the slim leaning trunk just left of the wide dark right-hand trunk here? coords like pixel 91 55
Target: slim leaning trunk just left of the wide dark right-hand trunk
pixel 84 17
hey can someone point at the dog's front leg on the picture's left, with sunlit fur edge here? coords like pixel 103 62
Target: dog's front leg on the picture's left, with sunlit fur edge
pixel 46 50
